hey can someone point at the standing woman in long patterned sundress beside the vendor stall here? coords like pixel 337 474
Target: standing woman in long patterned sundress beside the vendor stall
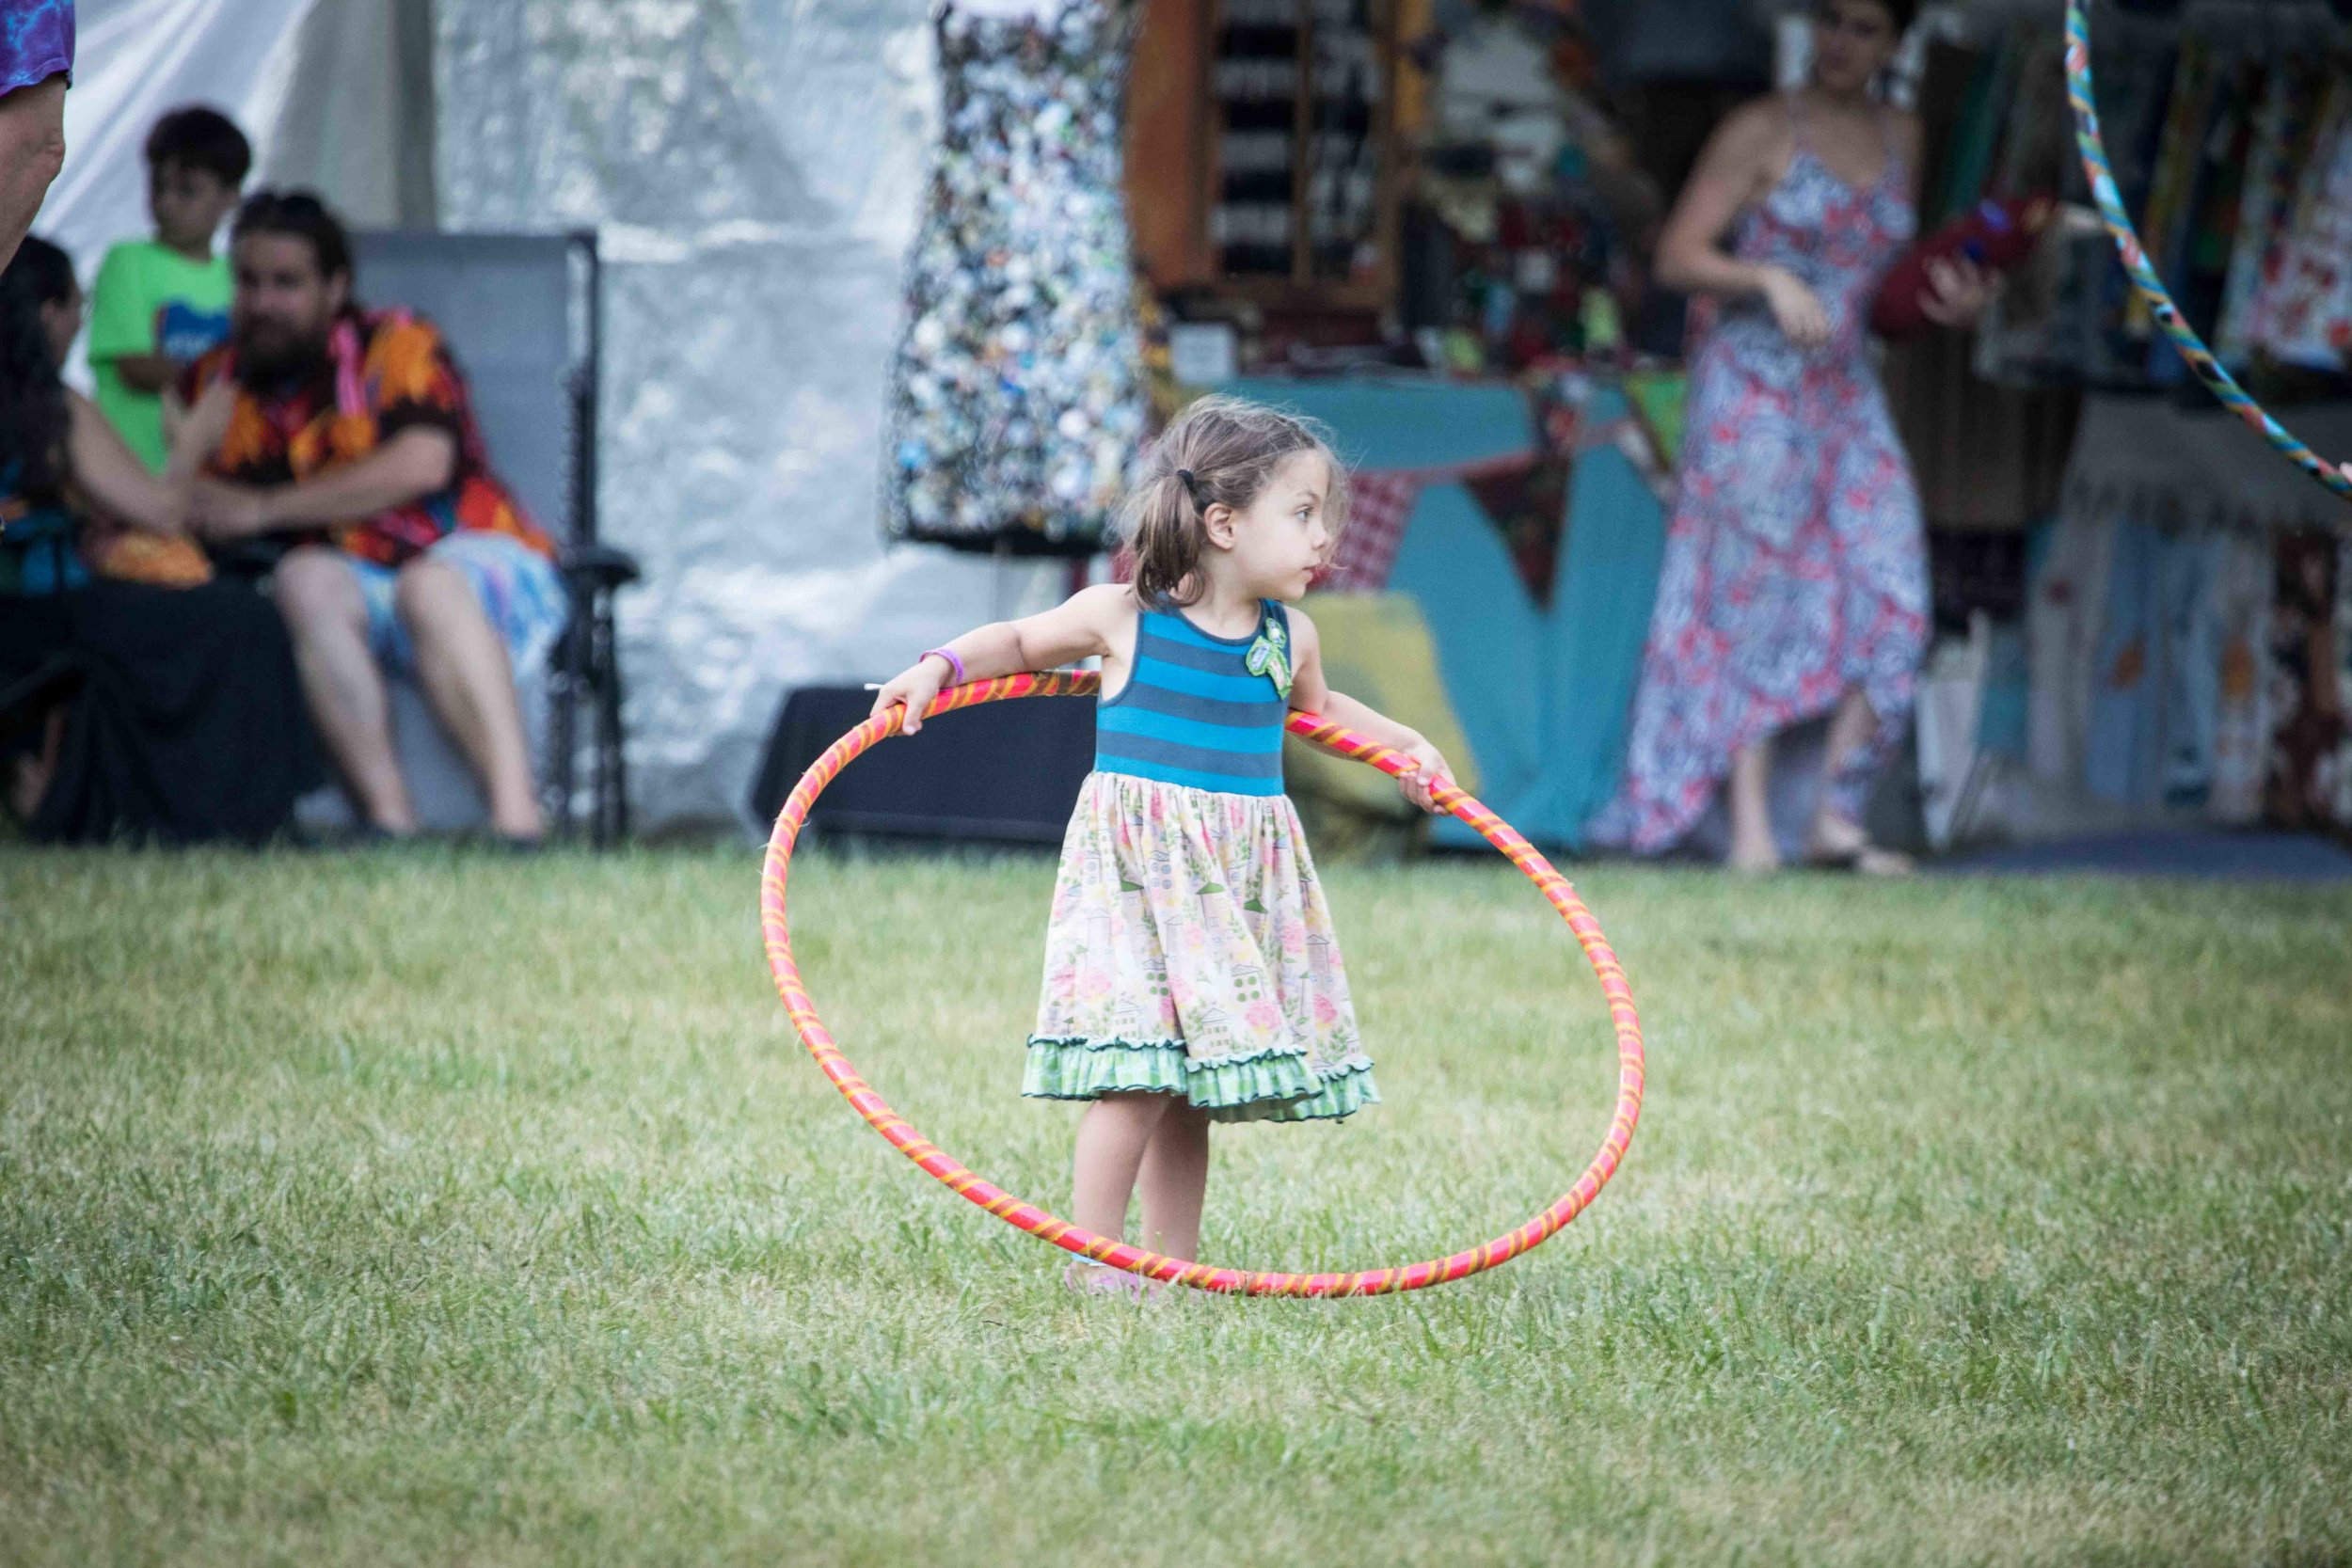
pixel 1796 579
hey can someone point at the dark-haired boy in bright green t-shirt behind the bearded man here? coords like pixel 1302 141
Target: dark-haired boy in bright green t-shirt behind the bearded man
pixel 163 304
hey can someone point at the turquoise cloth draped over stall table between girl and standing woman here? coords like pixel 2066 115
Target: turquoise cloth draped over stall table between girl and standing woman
pixel 1542 697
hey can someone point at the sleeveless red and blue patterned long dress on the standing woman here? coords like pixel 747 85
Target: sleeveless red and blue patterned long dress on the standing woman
pixel 1796 563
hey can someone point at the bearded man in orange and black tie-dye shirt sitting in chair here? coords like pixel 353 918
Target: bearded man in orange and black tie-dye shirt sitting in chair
pixel 349 434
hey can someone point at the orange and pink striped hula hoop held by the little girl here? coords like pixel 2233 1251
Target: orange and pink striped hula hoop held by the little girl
pixel 1118 1254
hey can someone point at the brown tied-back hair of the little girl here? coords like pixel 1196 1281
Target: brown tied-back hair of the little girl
pixel 1220 453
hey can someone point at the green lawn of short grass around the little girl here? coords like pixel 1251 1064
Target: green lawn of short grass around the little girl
pixel 474 1212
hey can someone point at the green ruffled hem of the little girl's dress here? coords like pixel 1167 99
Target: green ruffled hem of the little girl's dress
pixel 1267 1087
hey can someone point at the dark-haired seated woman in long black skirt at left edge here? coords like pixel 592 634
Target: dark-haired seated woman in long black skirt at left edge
pixel 138 697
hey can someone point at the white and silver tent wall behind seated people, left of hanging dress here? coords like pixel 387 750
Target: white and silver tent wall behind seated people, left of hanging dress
pixel 754 170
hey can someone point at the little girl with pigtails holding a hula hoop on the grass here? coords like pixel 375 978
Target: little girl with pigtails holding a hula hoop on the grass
pixel 1191 974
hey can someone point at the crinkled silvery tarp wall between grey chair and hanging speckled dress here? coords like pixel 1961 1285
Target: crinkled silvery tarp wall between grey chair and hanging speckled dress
pixel 756 175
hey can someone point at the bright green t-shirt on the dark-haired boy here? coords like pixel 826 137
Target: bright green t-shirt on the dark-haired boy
pixel 152 302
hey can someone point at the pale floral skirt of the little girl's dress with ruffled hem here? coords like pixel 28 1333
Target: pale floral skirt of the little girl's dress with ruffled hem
pixel 1191 953
